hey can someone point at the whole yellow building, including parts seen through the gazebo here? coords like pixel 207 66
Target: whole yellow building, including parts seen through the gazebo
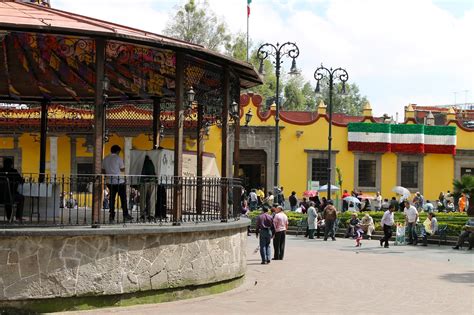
pixel 303 147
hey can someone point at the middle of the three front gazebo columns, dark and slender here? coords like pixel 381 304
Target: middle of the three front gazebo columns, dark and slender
pixel 178 140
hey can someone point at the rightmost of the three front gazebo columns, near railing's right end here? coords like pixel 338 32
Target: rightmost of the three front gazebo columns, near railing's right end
pixel 224 157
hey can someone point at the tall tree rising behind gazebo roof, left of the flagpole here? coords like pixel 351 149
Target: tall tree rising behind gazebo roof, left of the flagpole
pixel 198 24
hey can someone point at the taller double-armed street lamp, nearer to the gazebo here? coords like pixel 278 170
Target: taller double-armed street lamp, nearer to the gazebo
pixel 277 52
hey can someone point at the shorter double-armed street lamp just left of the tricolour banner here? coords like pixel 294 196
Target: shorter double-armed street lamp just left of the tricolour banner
pixel 332 74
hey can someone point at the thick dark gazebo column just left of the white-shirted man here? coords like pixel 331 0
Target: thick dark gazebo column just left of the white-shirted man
pixel 99 120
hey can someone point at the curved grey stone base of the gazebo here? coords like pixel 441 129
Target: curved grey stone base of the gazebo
pixel 44 267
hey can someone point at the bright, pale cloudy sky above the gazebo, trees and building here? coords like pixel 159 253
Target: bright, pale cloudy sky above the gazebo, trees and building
pixel 398 52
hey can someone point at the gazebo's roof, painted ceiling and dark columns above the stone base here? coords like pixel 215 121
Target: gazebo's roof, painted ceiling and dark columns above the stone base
pixel 53 60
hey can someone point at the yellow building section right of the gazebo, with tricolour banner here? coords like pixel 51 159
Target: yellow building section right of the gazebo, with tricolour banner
pixel 303 152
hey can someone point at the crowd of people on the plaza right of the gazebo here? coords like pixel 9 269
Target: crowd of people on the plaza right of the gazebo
pixel 322 216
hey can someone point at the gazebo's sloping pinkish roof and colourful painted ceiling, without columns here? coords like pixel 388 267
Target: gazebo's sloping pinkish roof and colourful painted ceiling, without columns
pixel 50 54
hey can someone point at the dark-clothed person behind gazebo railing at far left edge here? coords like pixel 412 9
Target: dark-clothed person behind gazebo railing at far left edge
pixel 10 177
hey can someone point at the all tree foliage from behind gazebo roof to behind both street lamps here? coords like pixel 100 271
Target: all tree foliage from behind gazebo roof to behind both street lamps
pixel 195 22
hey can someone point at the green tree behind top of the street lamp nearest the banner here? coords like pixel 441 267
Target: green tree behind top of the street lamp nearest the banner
pixel 351 103
